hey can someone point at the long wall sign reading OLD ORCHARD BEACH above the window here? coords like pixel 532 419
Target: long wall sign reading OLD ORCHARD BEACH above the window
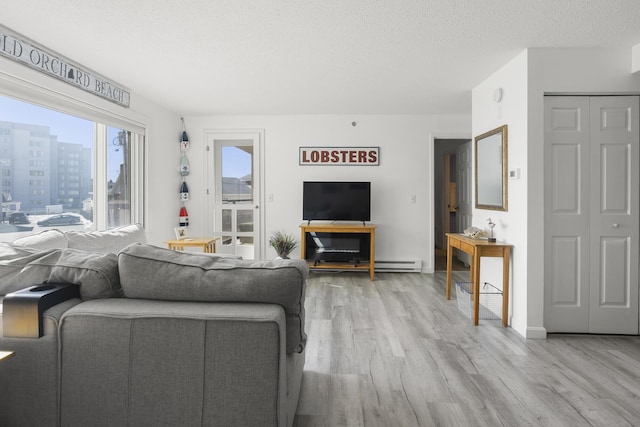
pixel 26 52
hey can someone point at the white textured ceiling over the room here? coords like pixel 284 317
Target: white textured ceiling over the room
pixel 313 56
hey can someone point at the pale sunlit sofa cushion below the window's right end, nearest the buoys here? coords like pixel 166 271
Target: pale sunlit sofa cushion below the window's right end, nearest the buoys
pixel 111 240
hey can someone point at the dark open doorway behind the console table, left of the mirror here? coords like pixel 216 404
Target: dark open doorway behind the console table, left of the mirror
pixel 452 196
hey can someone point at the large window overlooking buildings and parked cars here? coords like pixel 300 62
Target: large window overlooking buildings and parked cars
pixel 83 167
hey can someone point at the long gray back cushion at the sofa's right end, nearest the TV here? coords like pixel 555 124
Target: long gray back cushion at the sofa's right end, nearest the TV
pixel 151 272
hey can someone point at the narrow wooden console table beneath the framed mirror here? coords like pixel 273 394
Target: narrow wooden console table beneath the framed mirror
pixel 478 248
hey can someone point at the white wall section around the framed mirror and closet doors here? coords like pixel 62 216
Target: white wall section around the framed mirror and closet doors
pixel 525 80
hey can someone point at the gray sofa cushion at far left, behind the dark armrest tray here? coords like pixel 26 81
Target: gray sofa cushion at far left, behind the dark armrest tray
pixel 96 274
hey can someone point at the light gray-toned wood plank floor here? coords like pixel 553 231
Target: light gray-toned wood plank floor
pixel 394 352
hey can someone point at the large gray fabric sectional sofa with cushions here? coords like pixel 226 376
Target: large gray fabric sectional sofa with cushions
pixel 156 337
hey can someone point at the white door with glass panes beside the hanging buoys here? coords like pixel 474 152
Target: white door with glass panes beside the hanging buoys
pixel 234 190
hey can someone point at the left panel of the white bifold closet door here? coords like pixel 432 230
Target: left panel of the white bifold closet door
pixel 566 248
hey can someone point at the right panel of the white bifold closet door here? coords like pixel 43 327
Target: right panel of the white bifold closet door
pixel 613 306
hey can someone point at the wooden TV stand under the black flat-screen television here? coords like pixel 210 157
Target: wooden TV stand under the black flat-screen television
pixel 340 228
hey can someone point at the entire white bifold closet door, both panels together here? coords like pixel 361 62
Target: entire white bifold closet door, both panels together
pixel 591 214
